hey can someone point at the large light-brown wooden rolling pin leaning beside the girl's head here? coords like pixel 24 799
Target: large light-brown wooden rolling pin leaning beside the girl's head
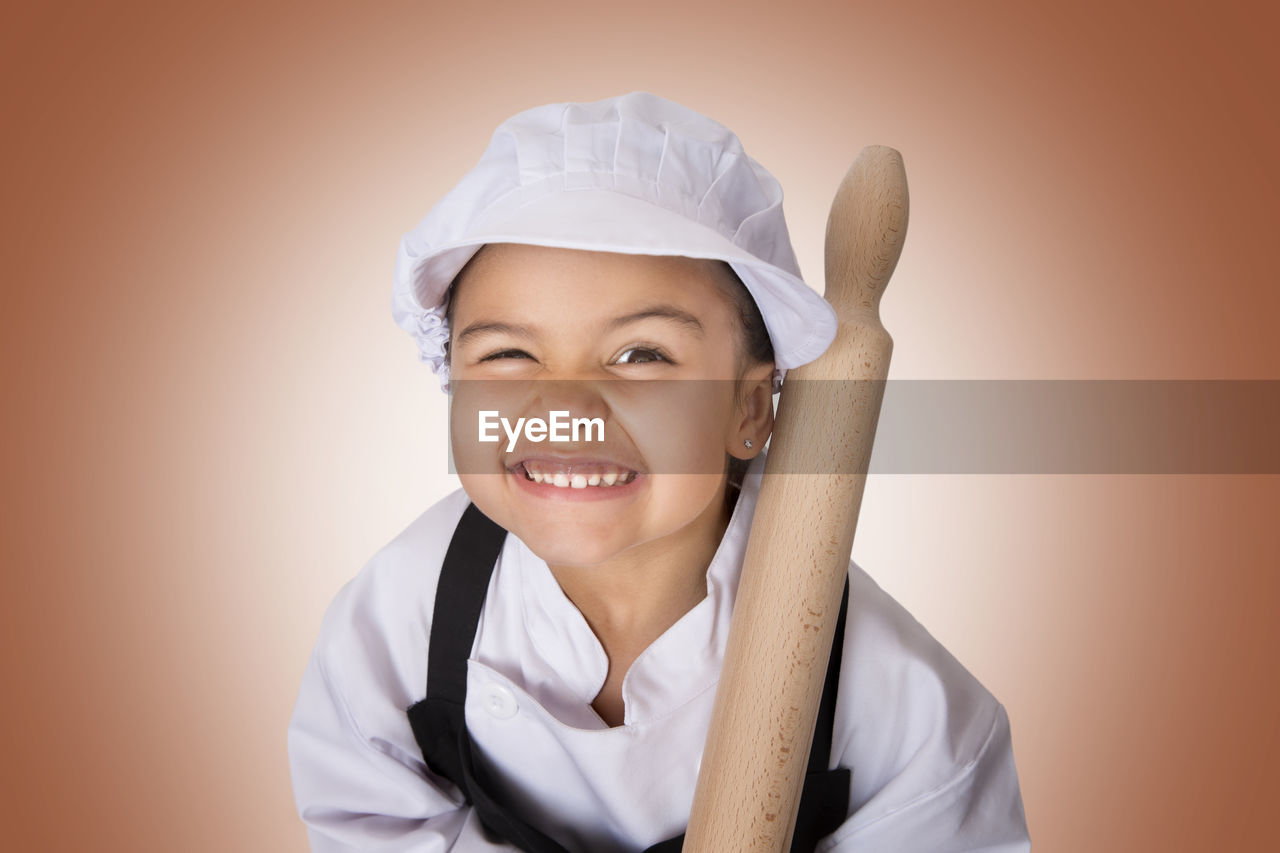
pixel 798 554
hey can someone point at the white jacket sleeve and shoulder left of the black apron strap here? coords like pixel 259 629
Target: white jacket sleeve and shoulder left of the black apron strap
pixel 353 751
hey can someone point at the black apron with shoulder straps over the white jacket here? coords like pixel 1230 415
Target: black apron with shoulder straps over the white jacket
pixel 441 729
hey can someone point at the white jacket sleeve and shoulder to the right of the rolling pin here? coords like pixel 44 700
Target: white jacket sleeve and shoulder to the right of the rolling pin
pixel 929 746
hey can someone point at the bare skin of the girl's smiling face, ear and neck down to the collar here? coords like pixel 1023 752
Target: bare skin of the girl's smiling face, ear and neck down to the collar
pixel 628 526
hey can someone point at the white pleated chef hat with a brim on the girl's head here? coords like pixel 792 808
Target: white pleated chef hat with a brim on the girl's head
pixel 634 175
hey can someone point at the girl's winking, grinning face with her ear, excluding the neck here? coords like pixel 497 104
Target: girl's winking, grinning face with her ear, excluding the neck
pixel 651 345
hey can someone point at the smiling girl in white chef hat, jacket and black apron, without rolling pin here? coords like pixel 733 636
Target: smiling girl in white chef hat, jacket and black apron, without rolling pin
pixel 532 664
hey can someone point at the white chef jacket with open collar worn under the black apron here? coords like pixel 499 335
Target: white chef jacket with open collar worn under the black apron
pixel 930 750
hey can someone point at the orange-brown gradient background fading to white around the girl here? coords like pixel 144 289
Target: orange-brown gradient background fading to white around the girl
pixel 212 421
